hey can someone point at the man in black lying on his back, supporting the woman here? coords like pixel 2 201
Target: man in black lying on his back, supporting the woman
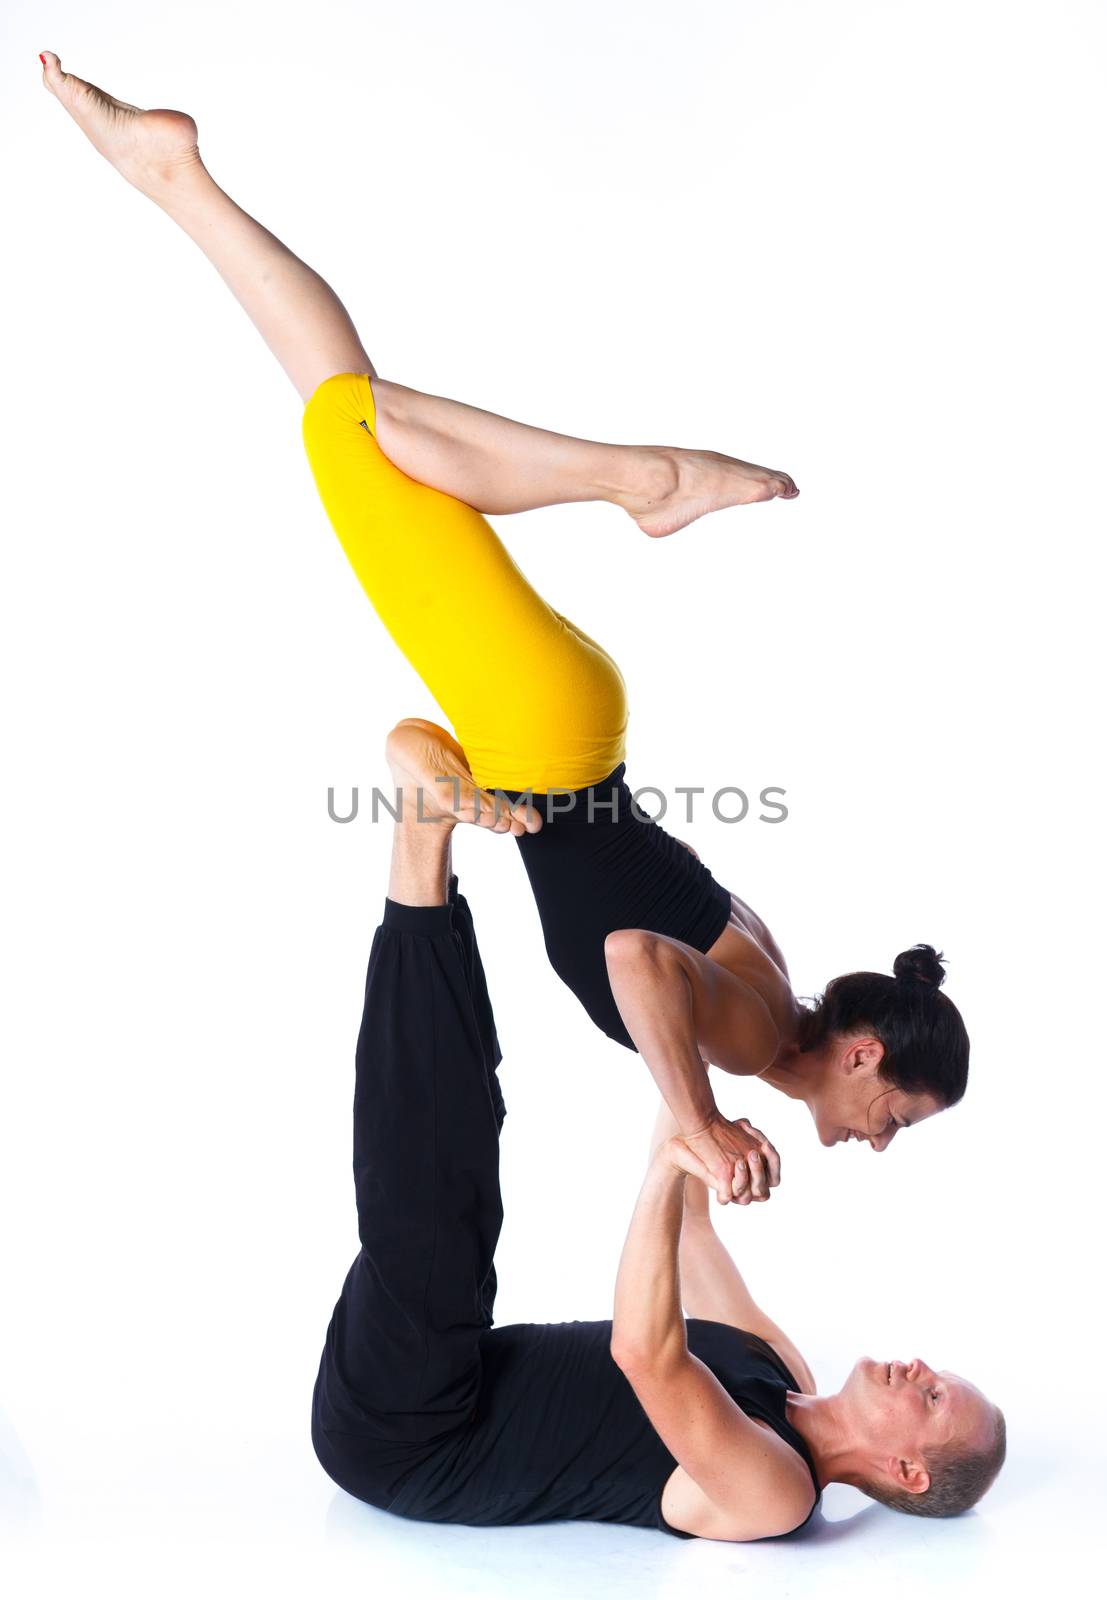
pixel 706 1428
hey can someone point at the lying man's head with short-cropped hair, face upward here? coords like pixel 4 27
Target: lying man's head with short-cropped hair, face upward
pixel 921 1441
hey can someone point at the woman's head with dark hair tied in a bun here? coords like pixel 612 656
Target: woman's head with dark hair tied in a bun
pixel 892 1050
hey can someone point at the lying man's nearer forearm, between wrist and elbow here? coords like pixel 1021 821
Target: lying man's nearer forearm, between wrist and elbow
pixel 649 1324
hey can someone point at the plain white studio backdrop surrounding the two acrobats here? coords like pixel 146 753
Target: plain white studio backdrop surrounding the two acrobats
pixel 857 242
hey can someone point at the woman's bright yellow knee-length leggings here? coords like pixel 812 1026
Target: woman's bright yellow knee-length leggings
pixel 534 702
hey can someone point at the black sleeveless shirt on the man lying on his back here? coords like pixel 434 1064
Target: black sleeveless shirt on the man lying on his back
pixel 559 1431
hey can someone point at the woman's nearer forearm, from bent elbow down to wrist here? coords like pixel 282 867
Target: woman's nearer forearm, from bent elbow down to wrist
pixel 653 993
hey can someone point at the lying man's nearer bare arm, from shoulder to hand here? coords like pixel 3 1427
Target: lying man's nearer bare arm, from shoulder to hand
pixel 745 1481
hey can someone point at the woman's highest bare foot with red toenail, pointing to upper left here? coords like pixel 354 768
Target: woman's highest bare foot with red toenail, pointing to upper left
pixel 148 148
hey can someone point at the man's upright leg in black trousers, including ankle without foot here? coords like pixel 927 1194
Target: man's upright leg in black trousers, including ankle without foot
pixel 401 1369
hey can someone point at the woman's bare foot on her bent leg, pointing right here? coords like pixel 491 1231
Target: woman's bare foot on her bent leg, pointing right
pixel 679 486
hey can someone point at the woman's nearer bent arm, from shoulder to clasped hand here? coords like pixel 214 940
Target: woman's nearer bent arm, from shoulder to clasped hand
pixel 671 999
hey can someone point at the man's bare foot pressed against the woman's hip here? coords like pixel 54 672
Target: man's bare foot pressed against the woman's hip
pixel 431 772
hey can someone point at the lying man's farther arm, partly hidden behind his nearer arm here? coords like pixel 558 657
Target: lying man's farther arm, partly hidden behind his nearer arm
pixel 711 1282
